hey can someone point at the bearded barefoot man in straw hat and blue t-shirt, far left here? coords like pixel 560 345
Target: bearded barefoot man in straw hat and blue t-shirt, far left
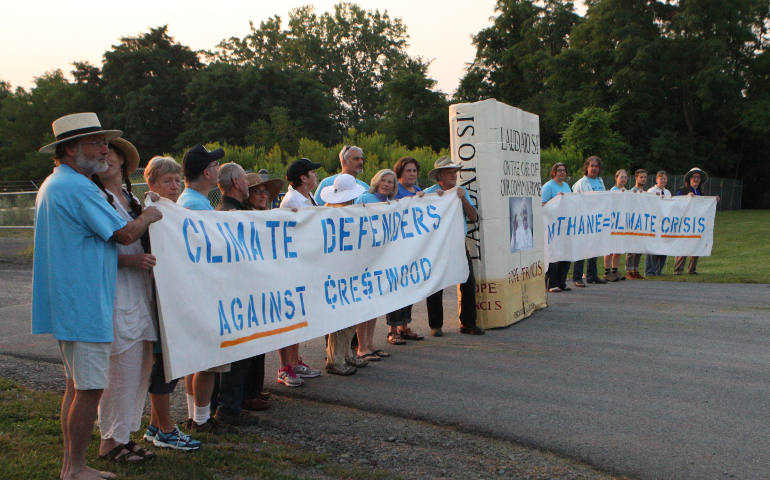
pixel 74 273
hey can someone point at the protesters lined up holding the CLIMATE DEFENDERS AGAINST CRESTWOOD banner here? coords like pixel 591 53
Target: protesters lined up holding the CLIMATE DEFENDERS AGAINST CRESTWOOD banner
pixel 93 288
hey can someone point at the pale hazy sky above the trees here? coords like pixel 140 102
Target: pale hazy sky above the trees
pixel 37 36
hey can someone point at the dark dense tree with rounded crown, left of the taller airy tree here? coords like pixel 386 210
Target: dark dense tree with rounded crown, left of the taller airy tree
pixel 144 80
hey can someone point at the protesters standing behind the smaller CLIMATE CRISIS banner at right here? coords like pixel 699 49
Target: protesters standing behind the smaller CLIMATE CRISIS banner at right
pixel 556 277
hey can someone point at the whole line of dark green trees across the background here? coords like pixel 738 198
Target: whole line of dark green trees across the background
pixel 659 84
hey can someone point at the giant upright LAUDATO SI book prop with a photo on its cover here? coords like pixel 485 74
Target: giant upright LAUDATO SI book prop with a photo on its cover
pixel 499 149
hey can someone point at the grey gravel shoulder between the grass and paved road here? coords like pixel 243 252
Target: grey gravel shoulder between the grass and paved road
pixel 403 447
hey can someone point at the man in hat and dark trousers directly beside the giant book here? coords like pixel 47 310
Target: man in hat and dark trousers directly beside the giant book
pixel 445 173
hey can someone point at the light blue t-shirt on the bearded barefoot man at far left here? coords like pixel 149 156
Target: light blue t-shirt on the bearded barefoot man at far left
pixel 75 262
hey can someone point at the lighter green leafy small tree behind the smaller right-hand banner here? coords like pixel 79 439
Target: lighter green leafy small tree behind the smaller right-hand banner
pixel 591 133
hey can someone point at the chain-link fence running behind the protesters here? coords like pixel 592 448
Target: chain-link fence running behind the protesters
pixel 17 199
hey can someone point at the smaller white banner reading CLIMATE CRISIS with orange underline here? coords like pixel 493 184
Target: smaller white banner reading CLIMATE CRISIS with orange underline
pixel 586 225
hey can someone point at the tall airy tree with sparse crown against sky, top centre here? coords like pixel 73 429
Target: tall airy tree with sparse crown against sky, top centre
pixel 352 51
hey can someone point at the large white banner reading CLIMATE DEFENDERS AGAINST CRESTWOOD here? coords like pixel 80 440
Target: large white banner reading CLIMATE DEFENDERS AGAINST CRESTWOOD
pixel 232 285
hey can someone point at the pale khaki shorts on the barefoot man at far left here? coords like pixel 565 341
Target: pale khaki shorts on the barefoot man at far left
pixel 87 364
